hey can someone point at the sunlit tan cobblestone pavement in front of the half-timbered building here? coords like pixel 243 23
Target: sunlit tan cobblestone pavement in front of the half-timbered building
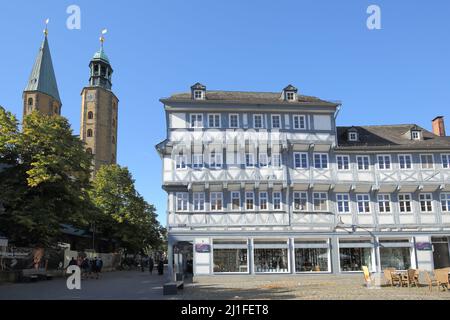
pixel 302 287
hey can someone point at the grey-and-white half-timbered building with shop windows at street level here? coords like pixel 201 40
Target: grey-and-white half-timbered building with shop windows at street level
pixel 267 183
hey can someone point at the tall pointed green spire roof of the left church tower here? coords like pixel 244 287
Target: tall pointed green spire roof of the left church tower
pixel 42 78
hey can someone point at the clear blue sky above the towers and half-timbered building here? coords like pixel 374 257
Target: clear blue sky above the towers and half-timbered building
pixel 400 74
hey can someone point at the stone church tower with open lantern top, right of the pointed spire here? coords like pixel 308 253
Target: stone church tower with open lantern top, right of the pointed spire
pixel 99 112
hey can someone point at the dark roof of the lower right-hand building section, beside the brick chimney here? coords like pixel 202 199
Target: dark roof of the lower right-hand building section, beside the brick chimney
pixel 390 137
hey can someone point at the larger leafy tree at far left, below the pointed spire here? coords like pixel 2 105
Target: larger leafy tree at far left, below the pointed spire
pixel 46 182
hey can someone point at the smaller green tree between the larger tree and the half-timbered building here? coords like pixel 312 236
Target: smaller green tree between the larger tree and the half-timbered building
pixel 125 217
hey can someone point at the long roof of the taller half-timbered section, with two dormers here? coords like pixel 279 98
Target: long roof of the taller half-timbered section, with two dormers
pixel 248 98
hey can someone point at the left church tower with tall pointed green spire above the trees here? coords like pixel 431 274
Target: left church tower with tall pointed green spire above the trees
pixel 41 92
